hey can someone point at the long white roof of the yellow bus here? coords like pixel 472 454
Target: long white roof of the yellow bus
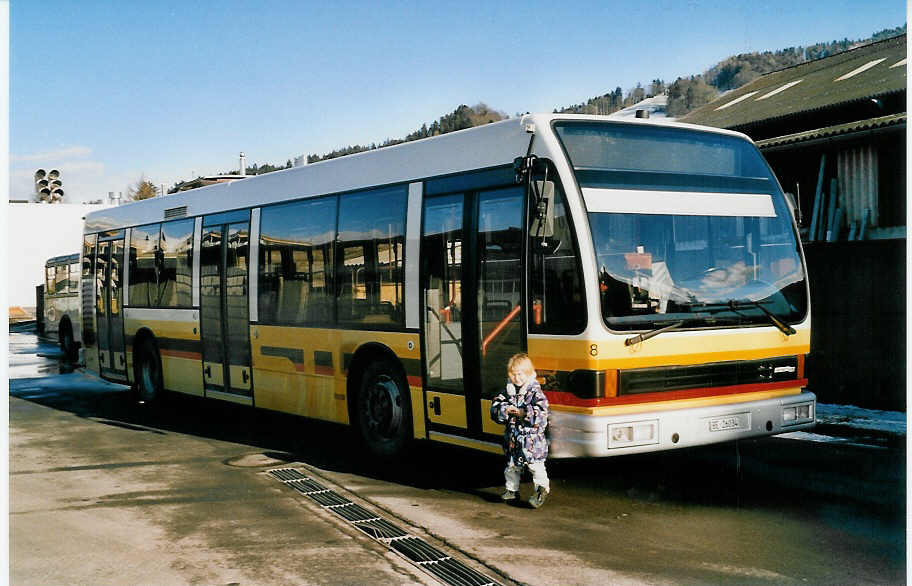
pixel 480 147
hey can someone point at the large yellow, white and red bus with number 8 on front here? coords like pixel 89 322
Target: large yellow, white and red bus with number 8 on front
pixel 651 269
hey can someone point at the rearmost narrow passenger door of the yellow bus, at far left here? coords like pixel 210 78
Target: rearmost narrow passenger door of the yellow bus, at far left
pixel 109 313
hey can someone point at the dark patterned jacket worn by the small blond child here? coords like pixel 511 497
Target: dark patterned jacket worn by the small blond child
pixel 524 437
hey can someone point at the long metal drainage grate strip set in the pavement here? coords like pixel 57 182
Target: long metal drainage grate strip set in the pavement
pixel 416 550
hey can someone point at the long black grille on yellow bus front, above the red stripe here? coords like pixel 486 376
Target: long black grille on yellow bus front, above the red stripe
pixel 719 374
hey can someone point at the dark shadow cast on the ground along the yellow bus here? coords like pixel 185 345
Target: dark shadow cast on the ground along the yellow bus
pixel 765 472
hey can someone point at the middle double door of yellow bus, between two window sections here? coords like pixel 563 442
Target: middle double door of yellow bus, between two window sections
pixel 225 326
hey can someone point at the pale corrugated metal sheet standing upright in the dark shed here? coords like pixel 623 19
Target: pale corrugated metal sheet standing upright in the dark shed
pixel 857 176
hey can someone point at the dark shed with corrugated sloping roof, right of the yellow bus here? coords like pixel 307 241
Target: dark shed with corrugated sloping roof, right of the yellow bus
pixel 834 131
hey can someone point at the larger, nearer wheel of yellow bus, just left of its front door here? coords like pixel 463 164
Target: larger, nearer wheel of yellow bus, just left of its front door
pixel 383 410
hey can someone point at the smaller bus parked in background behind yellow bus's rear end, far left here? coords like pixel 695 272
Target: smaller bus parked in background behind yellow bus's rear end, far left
pixel 60 317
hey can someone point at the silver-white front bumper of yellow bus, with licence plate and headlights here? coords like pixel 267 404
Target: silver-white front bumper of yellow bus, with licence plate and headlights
pixel 575 435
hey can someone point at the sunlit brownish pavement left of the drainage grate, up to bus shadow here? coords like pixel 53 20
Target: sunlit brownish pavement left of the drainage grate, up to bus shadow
pixel 100 501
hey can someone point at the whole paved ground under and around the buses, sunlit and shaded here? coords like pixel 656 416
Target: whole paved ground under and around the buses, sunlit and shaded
pixel 103 492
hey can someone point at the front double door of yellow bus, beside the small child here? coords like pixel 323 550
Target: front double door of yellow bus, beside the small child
pixel 472 283
